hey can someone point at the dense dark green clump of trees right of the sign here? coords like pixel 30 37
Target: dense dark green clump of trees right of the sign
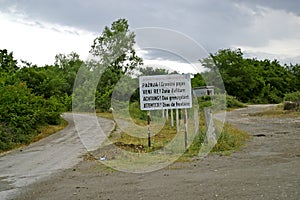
pixel 252 80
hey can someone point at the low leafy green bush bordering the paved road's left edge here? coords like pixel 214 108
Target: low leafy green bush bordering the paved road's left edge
pixel 22 114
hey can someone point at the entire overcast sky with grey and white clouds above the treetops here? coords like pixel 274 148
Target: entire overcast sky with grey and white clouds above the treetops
pixel 37 30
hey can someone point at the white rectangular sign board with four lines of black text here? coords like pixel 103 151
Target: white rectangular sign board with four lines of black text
pixel 165 92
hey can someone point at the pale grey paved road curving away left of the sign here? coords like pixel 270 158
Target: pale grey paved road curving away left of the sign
pixel 59 151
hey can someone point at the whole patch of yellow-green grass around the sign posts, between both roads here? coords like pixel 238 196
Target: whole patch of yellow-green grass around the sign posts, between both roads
pixel 166 142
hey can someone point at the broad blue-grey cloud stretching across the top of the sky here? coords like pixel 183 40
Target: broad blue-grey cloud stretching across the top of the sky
pixel 215 24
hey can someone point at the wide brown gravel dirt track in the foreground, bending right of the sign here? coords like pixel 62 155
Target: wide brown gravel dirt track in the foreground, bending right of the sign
pixel 267 168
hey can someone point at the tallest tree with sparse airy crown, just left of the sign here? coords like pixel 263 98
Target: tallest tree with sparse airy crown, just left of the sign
pixel 114 53
